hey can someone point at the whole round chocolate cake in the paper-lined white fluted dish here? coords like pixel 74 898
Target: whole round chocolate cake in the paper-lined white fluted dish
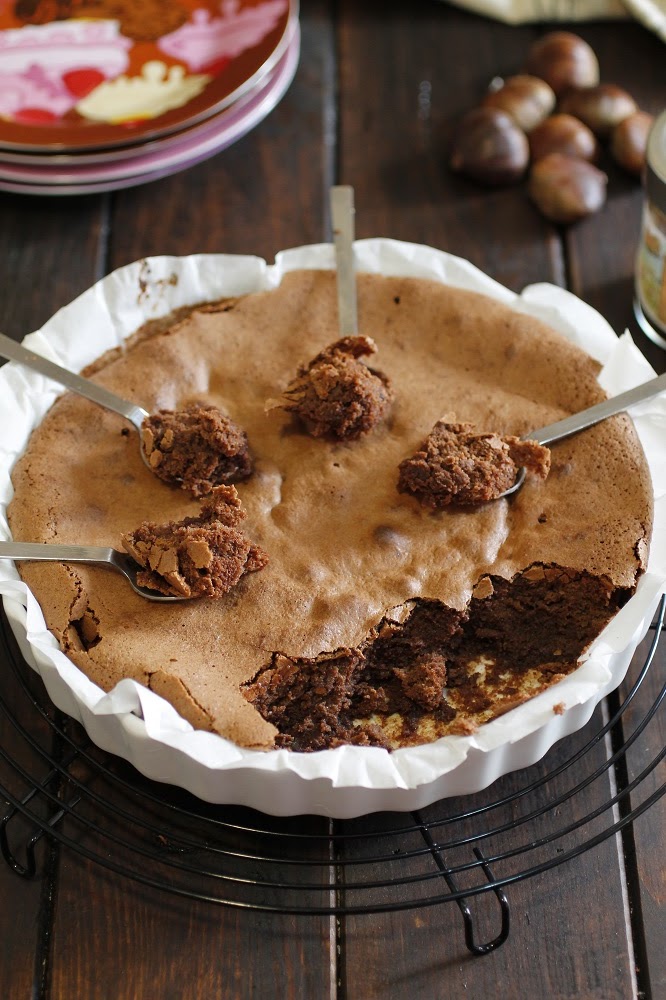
pixel 380 616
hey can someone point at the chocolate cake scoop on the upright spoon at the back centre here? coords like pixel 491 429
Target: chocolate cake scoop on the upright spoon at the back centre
pixel 336 395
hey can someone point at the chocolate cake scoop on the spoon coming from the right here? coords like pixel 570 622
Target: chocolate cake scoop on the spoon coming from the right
pixel 457 465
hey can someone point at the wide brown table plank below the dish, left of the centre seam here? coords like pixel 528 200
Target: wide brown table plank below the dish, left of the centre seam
pixel 169 946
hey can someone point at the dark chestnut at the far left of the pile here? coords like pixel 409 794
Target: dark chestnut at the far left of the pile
pixel 489 147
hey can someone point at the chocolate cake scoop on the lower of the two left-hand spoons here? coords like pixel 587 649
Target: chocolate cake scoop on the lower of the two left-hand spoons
pixel 203 556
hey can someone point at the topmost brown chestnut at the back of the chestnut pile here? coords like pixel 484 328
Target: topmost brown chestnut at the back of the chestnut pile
pixel 563 60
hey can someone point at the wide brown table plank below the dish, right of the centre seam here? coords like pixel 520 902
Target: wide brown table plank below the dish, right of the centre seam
pixel 543 956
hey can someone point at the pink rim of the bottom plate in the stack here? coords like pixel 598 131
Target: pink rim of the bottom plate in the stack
pixel 162 156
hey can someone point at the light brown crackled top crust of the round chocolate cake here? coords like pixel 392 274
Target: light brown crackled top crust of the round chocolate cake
pixel 344 546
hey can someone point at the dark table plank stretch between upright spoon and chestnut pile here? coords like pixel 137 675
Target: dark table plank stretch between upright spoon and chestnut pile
pixel 402 93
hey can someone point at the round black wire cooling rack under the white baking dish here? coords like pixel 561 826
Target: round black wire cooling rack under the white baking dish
pixel 58 787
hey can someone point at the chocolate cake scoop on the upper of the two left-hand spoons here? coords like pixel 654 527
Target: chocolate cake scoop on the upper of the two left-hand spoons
pixel 197 448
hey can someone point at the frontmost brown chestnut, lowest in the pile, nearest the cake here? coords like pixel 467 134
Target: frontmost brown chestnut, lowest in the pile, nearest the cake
pixel 566 189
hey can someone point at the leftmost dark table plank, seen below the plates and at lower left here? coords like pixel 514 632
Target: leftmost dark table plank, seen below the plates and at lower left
pixel 49 251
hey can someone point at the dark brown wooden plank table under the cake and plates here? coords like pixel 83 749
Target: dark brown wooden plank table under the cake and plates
pixel 376 95
